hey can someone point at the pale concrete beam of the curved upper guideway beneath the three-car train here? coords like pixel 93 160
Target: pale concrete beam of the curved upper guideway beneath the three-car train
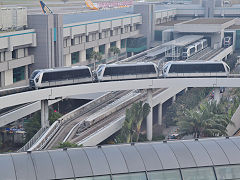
pixel 64 91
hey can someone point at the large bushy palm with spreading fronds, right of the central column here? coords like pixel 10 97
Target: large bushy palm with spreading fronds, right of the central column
pixel 207 121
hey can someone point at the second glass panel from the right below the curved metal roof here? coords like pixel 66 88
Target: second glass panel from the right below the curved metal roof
pixel 198 174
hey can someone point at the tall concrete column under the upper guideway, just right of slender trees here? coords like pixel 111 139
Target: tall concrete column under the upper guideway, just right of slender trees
pixel 150 115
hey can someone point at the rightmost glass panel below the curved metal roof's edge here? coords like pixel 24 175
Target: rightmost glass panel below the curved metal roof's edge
pixel 228 172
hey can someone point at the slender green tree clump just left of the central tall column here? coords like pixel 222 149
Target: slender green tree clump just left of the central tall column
pixel 130 131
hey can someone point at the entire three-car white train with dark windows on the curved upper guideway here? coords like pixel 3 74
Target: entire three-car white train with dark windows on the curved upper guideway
pixel 116 72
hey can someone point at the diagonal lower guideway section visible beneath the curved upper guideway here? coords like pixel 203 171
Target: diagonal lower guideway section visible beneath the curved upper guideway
pixel 108 124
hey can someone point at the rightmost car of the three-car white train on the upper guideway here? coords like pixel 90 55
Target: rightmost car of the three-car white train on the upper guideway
pixel 175 69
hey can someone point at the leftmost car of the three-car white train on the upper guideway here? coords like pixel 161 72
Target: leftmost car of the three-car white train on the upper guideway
pixel 60 76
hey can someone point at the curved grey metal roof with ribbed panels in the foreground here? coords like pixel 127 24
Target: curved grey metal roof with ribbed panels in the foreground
pixel 116 159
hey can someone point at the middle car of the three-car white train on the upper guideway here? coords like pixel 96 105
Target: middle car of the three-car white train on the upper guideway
pixel 114 72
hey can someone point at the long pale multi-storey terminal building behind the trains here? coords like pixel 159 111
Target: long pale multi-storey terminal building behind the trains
pixel 68 39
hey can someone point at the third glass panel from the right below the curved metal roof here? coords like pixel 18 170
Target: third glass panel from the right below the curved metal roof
pixel 164 175
